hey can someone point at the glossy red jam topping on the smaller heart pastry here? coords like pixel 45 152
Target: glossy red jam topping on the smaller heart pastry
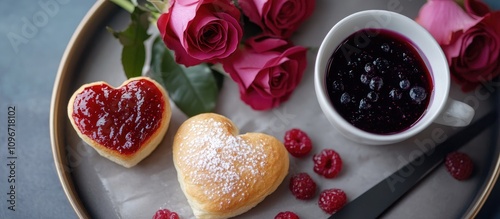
pixel 120 119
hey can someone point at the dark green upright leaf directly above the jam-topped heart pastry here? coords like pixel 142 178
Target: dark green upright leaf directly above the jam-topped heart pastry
pixel 132 39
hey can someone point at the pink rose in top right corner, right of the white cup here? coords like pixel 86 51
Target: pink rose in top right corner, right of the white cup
pixel 470 39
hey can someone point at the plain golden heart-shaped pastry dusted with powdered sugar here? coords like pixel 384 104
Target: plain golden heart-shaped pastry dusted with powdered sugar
pixel 222 173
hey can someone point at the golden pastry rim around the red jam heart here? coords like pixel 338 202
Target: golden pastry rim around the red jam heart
pixel 148 146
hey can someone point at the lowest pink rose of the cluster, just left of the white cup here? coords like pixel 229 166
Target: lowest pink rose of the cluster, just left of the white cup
pixel 267 71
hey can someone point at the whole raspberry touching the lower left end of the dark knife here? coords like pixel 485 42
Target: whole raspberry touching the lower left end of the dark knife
pixel 332 200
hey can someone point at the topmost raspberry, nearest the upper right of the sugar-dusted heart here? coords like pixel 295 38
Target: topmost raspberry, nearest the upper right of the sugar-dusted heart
pixel 297 143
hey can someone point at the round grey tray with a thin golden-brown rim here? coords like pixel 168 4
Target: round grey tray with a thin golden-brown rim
pixel 99 188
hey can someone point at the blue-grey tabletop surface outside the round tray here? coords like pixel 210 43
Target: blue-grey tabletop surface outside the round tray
pixel 27 73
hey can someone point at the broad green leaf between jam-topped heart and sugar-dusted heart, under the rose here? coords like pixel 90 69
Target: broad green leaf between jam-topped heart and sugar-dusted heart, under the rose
pixel 193 90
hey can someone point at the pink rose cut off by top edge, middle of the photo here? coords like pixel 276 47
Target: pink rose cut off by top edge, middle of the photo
pixel 277 17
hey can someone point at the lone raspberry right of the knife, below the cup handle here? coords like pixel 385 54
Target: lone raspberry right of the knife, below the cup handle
pixel 459 165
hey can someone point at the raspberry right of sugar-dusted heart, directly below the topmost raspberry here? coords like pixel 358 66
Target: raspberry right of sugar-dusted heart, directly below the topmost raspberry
pixel 302 186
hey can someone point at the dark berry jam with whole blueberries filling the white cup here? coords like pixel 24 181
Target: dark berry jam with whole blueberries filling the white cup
pixel 378 82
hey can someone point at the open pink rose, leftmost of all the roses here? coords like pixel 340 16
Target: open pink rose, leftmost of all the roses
pixel 201 30
